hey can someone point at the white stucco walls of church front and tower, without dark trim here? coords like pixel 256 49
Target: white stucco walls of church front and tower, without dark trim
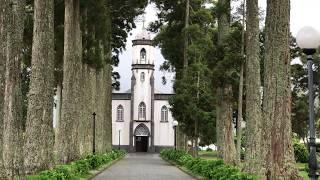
pixel 163 131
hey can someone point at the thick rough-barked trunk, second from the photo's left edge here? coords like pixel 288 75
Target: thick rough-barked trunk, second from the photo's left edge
pixel 39 126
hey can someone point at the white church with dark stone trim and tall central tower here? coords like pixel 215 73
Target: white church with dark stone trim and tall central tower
pixel 141 119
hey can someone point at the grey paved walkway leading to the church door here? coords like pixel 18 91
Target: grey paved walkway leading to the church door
pixel 142 166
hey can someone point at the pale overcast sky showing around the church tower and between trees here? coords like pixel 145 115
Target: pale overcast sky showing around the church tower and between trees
pixel 303 13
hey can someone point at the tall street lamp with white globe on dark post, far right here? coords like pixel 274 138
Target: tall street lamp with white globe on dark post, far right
pixel 308 39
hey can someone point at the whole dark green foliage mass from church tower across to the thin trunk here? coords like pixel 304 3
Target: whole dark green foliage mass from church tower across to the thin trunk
pixel 216 64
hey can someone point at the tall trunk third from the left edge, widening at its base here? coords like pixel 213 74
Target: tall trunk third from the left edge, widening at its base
pixel 68 147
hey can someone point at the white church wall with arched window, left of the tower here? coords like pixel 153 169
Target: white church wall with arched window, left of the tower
pixel 124 126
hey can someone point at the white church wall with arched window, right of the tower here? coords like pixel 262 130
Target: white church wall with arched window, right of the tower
pixel 163 131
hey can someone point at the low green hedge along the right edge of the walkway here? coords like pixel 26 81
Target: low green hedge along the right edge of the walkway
pixel 209 169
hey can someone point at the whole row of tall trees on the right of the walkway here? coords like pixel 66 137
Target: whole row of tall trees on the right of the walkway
pixel 210 50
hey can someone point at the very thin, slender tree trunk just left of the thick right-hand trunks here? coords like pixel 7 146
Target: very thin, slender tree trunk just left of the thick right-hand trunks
pixel 240 100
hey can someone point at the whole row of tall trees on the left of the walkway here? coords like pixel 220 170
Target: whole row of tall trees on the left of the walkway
pixel 64 48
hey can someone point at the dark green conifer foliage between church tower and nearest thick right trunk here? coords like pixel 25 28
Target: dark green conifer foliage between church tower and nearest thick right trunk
pixel 185 108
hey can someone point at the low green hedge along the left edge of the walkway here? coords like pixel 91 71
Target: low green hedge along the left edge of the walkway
pixel 79 168
